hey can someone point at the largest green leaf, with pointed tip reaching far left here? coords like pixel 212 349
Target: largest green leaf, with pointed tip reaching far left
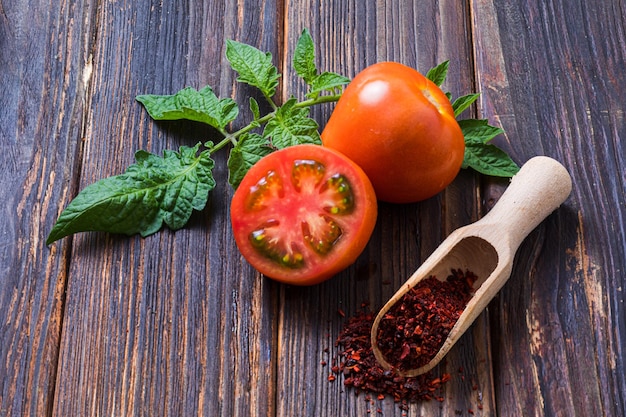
pixel 153 191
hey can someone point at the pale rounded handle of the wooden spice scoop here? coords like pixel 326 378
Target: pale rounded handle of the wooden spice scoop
pixel 540 186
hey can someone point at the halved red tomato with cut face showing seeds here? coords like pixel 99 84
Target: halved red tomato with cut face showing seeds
pixel 302 214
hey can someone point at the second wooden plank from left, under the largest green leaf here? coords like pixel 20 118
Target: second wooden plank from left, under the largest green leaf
pixel 177 323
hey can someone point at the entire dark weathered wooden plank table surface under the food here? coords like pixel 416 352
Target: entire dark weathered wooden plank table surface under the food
pixel 178 324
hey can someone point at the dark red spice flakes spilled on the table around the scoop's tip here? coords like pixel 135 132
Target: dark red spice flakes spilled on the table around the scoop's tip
pixel 361 371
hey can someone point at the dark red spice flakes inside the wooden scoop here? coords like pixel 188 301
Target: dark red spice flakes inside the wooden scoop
pixel 411 333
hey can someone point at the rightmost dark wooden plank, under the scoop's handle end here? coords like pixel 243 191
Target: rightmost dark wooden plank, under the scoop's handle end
pixel 552 75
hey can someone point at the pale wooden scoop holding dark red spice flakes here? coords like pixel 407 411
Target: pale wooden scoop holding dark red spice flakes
pixel 487 247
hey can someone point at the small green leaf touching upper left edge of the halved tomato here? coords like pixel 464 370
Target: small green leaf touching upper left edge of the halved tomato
pixel 249 150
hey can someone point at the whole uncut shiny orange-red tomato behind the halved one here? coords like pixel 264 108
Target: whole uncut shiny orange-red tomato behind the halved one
pixel 400 128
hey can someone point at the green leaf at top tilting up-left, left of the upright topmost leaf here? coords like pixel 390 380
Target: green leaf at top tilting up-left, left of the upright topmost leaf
pixel 255 67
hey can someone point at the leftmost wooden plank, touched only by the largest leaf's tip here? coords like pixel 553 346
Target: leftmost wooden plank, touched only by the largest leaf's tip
pixel 44 57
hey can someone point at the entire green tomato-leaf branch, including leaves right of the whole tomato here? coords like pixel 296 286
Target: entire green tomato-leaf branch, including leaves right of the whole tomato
pixel 165 190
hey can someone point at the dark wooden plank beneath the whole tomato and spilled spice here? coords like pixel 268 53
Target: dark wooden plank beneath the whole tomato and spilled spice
pixel 349 36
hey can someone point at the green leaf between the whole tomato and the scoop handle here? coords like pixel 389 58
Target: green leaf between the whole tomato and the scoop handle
pixel 480 155
